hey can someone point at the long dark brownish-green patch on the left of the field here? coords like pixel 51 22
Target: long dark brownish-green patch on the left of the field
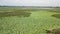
pixel 20 13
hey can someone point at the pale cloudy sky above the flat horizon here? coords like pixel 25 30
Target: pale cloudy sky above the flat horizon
pixel 30 2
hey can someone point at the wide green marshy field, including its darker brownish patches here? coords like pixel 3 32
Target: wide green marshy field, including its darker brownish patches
pixel 11 21
